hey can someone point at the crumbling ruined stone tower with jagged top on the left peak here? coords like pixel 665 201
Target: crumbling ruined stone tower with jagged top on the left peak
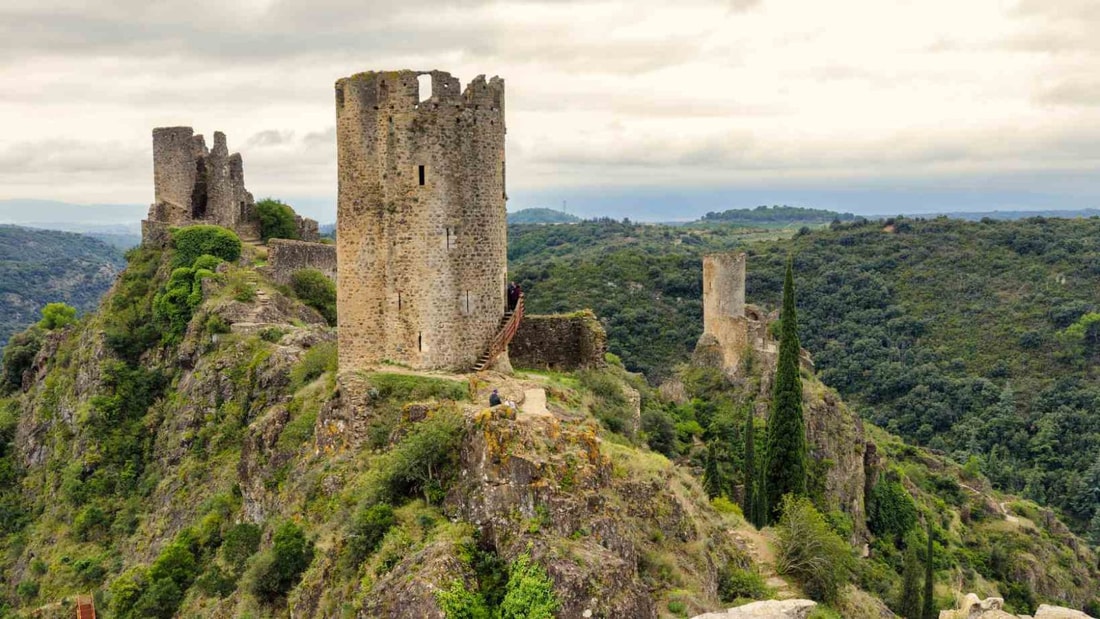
pixel 197 185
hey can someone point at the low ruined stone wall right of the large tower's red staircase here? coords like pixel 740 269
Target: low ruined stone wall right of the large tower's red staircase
pixel 565 342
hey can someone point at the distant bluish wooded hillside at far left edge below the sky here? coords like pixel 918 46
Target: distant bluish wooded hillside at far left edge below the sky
pixel 42 267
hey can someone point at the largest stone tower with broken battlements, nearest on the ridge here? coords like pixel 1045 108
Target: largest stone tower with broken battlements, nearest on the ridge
pixel 422 229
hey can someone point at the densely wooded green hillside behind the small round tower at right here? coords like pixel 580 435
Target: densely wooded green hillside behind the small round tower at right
pixel 978 339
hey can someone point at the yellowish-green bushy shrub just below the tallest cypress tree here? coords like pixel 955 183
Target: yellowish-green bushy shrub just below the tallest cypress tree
pixel 810 552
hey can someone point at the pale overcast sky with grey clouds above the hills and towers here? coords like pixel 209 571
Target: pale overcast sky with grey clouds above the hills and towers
pixel 636 107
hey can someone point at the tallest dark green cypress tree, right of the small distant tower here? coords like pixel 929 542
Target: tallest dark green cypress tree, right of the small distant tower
pixel 786 469
